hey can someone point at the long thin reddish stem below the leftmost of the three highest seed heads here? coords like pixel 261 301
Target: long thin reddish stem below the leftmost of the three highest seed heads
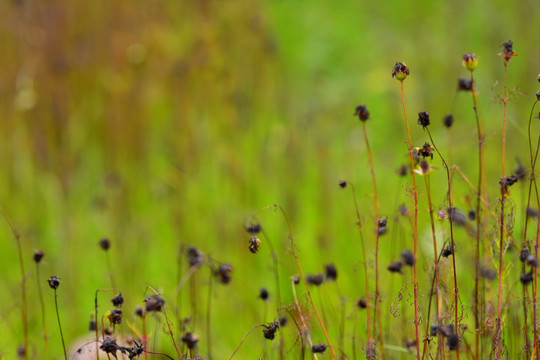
pixel 415 229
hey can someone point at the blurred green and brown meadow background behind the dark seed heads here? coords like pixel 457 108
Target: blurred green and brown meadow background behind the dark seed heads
pixel 162 123
